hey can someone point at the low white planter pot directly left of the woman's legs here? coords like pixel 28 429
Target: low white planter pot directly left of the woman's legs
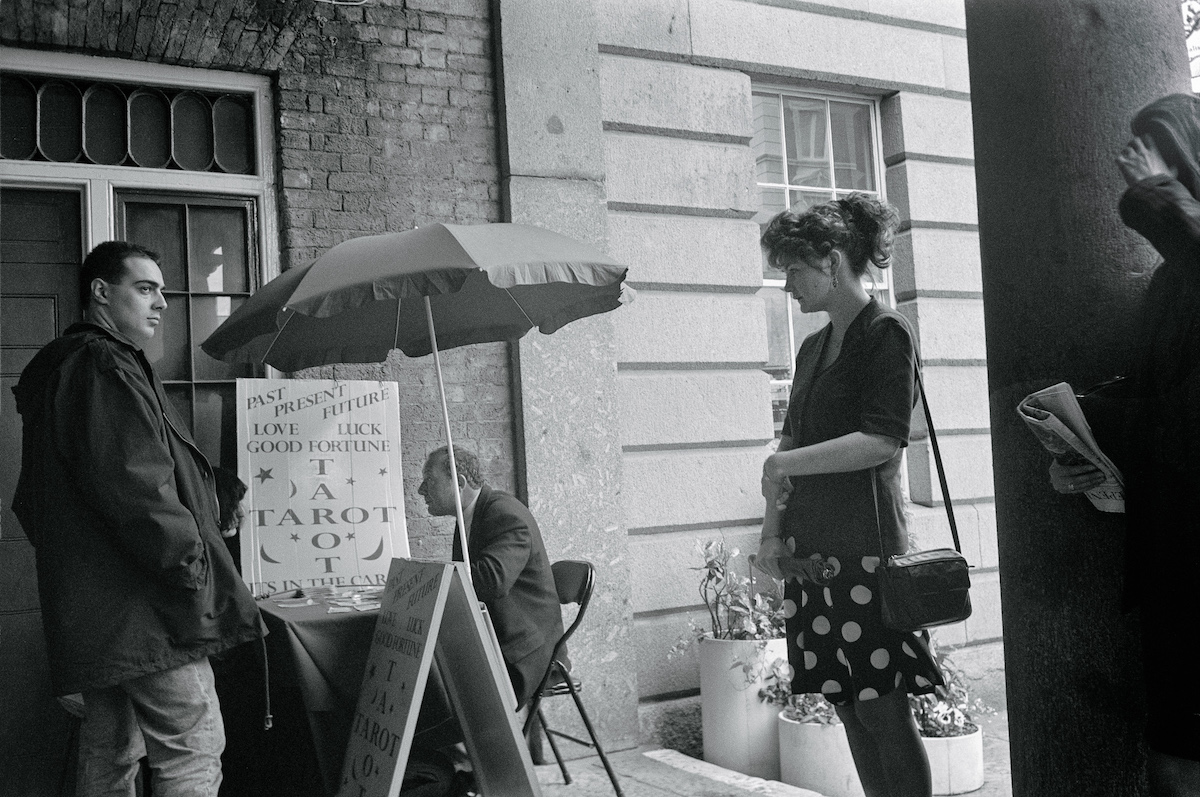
pixel 818 758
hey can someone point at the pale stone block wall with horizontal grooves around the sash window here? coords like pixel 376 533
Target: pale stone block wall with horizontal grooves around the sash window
pixel 676 81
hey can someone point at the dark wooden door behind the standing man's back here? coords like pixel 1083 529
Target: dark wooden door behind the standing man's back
pixel 41 248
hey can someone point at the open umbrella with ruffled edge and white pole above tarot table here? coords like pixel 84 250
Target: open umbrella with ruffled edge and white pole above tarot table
pixel 449 284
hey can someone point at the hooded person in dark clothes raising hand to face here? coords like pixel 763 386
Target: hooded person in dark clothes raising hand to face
pixel 1162 436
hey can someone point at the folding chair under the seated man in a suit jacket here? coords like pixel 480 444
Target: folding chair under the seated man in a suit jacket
pixel 574 583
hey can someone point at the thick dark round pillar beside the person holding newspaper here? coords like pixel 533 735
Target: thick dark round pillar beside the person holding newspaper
pixel 1054 85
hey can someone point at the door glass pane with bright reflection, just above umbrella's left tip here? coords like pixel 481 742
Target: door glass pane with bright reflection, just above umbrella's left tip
pixel 218 250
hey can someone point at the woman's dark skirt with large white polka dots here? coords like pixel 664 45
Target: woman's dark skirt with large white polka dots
pixel 838 645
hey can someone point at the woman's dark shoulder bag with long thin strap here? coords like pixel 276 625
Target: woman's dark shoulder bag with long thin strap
pixel 926 589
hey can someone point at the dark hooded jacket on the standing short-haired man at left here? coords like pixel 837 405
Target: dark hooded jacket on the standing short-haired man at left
pixel 119 504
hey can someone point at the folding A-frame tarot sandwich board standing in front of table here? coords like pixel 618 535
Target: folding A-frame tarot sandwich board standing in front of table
pixel 430 614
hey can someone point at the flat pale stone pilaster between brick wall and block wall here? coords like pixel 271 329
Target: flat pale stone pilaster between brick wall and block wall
pixel 554 177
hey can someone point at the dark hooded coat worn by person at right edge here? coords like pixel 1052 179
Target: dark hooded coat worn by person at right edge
pixel 1162 464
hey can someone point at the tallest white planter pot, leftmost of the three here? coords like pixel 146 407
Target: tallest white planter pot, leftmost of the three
pixel 741 732
